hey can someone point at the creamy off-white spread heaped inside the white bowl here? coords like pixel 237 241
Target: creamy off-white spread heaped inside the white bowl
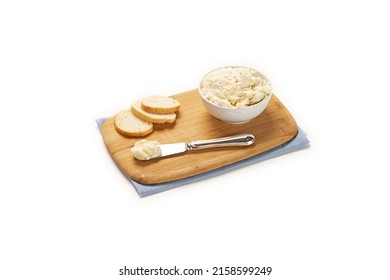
pixel 234 87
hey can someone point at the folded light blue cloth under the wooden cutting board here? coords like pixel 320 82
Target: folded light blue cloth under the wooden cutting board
pixel 299 142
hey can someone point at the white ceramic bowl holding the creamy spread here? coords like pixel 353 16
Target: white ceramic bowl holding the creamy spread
pixel 236 115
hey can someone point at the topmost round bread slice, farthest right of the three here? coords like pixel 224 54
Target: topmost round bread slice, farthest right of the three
pixel 160 104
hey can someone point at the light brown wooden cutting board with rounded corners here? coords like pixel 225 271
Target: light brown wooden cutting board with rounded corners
pixel 275 126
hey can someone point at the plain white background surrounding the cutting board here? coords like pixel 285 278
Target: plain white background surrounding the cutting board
pixel 68 213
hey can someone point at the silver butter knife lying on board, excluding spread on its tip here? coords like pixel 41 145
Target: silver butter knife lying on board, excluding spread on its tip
pixel 230 141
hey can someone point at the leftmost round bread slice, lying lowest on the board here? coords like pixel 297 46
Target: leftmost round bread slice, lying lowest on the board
pixel 127 124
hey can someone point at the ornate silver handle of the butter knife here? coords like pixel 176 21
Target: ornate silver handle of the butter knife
pixel 230 141
